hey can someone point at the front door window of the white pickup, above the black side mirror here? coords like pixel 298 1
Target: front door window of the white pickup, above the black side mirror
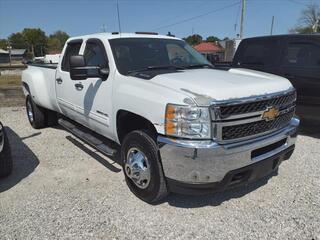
pixel 95 54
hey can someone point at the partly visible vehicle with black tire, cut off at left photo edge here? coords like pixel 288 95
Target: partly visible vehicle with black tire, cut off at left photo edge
pixel 5 154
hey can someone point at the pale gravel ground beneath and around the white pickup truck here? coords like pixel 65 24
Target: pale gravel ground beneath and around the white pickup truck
pixel 62 189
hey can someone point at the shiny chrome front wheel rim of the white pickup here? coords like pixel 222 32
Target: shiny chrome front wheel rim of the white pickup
pixel 137 168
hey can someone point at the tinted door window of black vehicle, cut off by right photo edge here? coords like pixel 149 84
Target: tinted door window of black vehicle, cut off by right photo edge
pixel 302 54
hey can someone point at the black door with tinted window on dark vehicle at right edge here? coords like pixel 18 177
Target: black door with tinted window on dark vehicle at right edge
pixel 300 63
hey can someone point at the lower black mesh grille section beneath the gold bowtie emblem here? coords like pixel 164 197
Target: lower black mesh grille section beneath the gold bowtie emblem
pixel 254 128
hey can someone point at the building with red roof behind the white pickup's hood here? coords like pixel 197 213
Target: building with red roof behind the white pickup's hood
pixel 212 51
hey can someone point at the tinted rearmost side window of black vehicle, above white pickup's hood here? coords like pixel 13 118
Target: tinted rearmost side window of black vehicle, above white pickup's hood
pixel 257 53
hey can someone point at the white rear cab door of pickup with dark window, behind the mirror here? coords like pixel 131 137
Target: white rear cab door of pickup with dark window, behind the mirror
pixel 64 85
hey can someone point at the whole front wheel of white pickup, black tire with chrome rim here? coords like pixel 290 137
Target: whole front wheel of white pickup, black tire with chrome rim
pixel 142 167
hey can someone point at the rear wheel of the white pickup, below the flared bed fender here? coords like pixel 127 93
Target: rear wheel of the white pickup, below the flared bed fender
pixel 36 114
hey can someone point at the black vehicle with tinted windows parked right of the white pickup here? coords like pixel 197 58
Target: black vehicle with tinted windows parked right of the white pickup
pixel 295 57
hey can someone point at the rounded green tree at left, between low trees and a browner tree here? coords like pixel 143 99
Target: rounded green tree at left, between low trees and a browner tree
pixel 36 40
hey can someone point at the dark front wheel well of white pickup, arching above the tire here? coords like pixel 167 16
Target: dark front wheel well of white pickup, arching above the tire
pixel 128 121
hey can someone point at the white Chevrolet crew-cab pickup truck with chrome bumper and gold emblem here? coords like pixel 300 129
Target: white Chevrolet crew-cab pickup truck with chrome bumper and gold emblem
pixel 181 125
